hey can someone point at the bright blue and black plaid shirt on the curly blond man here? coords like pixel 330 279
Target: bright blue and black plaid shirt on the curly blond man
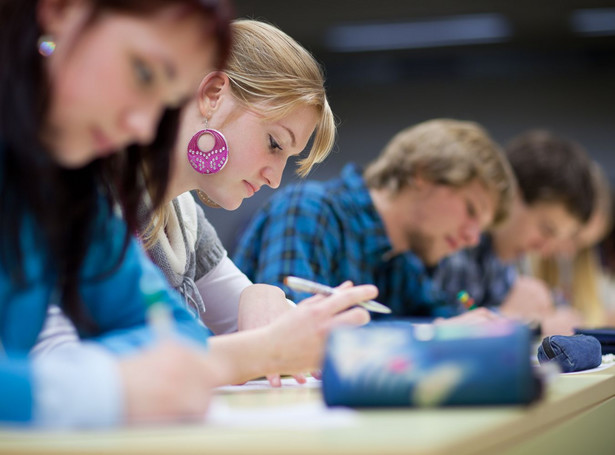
pixel 330 232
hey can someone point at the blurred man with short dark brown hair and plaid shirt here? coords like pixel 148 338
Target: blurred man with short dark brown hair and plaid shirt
pixel 554 198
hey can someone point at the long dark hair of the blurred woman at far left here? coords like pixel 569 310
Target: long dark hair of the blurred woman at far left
pixel 64 203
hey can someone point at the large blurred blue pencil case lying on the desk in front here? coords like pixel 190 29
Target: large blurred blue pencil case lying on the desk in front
pixel 391 365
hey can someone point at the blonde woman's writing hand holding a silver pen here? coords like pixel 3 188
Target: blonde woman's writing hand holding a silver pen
pixel 298 338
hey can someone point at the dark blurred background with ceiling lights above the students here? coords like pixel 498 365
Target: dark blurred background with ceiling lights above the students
pixel 509 65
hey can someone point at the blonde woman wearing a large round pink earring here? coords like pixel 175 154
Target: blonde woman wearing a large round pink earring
pixel 263 108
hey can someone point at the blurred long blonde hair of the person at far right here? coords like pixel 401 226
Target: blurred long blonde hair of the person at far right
pixel 583 290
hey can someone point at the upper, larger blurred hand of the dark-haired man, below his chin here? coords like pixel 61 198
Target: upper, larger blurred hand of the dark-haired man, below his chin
pixel 529 299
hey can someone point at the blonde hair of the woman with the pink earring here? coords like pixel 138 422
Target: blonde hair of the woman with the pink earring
pixel 273 74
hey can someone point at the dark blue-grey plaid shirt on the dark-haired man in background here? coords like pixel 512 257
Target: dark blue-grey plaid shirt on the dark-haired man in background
pixel 479 272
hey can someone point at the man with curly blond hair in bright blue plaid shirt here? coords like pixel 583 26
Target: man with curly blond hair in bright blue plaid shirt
pixel 432 191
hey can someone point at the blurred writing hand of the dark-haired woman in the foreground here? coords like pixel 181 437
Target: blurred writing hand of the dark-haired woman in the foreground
pixel 169 381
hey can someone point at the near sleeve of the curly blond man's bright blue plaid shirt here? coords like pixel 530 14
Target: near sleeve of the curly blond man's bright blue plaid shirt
pixel 296 233
